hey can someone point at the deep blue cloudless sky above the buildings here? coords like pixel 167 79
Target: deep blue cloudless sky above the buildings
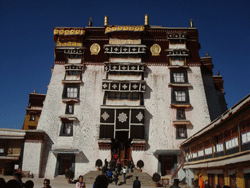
pixel 27 40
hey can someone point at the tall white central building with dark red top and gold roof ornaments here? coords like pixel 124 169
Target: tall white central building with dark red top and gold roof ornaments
pixel 141 87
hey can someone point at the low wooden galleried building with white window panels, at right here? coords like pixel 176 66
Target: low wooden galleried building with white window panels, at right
pixel 221 150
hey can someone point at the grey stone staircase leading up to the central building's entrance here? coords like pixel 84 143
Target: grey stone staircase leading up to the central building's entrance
pixel 144 178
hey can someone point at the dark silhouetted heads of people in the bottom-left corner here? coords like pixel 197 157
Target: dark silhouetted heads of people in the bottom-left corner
pixel 16 182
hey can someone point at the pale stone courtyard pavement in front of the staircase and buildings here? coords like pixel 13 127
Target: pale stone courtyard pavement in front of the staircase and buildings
pixel 62 183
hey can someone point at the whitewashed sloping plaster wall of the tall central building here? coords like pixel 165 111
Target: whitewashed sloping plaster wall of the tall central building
pixel 159 130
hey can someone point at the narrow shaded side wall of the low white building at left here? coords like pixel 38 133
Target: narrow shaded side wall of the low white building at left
pixel 45 153
